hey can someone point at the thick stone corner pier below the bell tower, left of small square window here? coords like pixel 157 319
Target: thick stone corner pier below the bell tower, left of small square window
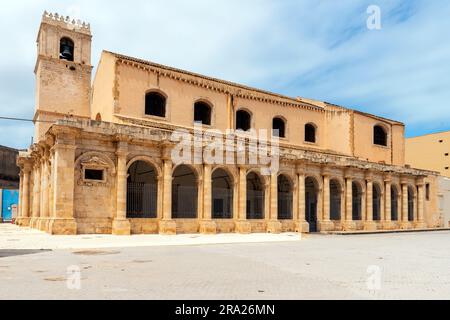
pixel 63 222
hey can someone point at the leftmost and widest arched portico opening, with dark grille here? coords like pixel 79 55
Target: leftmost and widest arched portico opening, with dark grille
pixel 142 191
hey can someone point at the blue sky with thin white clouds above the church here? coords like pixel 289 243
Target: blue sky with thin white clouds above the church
pixel 314 49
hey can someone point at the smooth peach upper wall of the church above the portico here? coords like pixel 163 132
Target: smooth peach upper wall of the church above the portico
pixel 338 130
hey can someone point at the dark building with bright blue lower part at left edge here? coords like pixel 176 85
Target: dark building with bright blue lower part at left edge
pixel 9 183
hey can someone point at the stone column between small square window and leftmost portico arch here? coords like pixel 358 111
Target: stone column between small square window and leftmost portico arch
pixel 121 225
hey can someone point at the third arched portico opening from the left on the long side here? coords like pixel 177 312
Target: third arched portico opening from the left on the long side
pixel 222 195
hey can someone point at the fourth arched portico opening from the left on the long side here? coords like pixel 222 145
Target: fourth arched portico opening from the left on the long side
pixel 255 197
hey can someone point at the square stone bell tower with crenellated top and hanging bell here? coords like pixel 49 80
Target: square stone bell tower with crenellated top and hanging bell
pixel 63 71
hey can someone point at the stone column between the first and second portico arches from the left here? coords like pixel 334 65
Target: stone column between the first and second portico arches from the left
pixel 167 226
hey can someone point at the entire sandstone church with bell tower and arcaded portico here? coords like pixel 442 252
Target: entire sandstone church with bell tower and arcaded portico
pixel 105 160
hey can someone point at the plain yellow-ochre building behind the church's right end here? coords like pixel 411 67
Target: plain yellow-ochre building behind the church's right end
pixel 430 152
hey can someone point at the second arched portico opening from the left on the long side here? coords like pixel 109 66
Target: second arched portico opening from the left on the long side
pixel 184 193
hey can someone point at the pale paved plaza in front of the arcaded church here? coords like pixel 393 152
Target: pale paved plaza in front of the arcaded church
pixel 386 266
